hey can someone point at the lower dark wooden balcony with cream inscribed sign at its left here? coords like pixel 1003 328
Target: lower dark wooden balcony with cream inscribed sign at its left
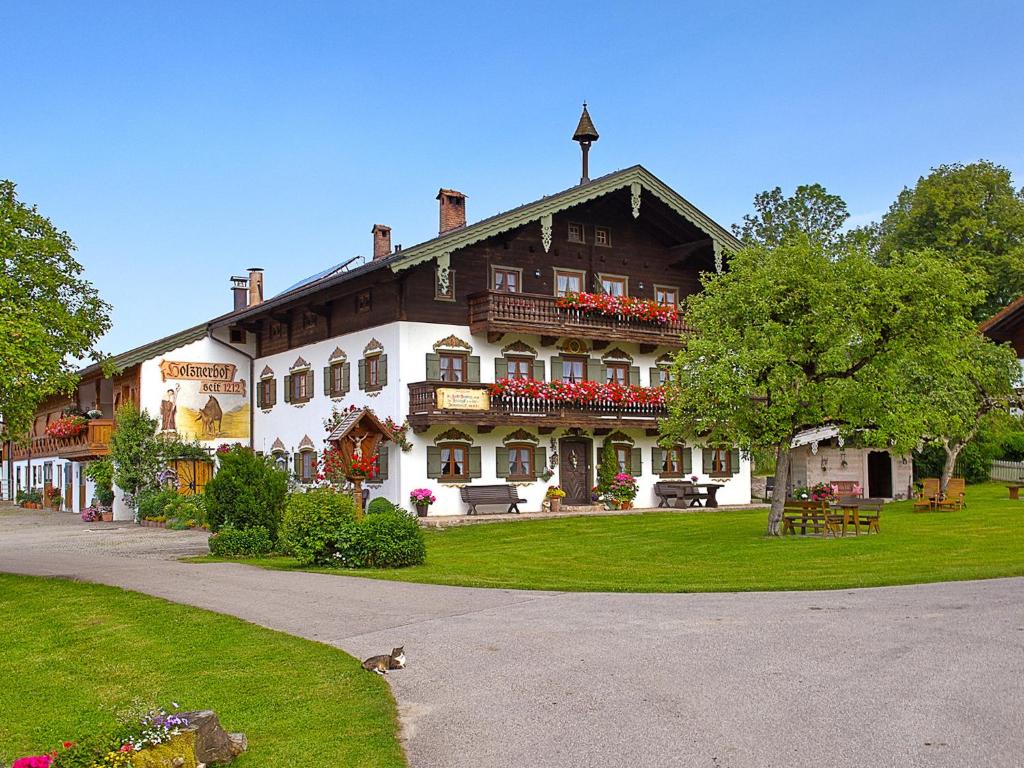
pixel 439 403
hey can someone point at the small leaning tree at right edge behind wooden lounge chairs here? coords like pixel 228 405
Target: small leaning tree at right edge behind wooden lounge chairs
pixel 966 379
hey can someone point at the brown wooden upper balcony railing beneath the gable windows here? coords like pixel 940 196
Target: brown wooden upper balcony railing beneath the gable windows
pixel 499 314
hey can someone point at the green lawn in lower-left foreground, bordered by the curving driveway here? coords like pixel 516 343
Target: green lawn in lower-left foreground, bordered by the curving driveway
pixel 74 653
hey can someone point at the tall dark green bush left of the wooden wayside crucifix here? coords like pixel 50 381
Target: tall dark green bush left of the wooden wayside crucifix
pixel 247 492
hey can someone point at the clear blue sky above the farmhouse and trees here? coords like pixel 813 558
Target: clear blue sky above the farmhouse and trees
pixel 180 143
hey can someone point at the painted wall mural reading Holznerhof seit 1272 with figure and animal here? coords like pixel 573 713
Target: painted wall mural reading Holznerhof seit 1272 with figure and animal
pixel 205 403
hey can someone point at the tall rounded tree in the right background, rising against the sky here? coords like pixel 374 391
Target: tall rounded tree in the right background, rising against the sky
pixel 971 215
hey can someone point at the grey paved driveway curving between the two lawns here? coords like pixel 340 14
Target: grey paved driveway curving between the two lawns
pixel 912 676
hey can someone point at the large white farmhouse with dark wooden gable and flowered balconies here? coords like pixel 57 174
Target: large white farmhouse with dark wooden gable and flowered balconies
pixel 510 347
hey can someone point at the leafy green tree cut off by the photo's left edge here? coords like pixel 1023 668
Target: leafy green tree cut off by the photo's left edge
pixel 50 315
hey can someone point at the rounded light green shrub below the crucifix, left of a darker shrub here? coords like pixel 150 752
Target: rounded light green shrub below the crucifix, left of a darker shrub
pixel 312 522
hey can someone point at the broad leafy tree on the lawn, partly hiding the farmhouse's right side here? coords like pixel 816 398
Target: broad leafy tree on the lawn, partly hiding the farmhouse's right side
pixel 804 334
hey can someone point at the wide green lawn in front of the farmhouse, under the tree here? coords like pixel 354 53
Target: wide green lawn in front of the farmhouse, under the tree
pixel 720 551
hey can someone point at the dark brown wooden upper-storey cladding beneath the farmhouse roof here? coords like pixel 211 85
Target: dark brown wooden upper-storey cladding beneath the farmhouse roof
pixel 658 249
